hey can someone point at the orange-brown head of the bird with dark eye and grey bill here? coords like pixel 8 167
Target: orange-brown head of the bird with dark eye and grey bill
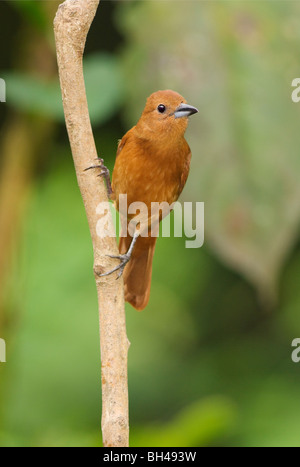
pixel 165 115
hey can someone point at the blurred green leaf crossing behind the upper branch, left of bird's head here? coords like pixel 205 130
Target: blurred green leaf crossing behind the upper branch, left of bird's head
pixel 39 97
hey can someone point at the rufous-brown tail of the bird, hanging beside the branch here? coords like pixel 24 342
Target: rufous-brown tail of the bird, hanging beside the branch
pixel 138 271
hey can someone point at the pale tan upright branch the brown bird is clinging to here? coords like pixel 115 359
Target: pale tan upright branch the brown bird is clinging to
pixel 71 26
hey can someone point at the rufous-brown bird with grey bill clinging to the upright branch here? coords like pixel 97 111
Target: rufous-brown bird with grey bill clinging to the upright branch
pixel 152 165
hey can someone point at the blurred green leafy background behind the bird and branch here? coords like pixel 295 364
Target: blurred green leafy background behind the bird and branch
pixel 210 358
